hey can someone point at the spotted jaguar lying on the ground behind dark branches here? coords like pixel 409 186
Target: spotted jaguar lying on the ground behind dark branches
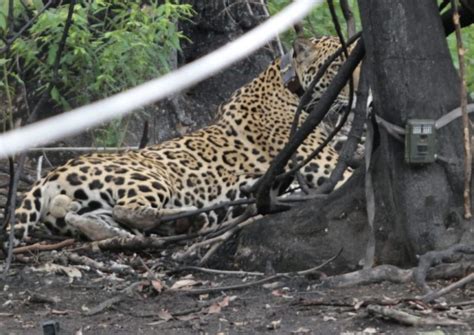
pixel 127 193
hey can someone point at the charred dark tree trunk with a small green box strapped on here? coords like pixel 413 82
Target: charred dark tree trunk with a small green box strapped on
pixel 413 77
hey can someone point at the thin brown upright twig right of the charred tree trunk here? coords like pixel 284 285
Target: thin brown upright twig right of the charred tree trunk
pixel 465 119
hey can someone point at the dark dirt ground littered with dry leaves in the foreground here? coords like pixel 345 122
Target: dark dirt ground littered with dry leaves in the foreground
pixel 51 286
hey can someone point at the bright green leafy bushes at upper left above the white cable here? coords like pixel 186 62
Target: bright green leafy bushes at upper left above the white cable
pixel 111 45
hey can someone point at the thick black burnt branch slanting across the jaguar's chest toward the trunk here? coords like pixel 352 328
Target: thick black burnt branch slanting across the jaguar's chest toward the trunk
pixel 264 203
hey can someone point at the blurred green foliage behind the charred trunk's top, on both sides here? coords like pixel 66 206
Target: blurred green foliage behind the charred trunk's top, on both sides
pixel 319 22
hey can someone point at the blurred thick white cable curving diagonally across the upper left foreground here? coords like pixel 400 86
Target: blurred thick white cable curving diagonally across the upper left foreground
pixel 79 119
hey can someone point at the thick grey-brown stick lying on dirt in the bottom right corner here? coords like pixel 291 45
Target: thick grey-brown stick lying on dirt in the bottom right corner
pixel 410 319
